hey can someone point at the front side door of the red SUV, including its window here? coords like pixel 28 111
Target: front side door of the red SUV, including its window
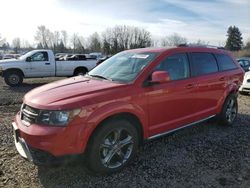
pixel 170 104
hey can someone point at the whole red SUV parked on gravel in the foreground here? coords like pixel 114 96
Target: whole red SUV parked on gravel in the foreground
pixel 135 95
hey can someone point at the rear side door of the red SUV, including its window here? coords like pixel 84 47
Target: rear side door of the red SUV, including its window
pixel 210 81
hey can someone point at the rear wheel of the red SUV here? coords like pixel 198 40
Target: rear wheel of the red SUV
pixel 229 111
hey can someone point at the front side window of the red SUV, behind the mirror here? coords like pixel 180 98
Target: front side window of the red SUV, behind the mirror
pixel 176 65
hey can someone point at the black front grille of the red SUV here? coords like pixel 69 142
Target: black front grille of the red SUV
pixel 28 114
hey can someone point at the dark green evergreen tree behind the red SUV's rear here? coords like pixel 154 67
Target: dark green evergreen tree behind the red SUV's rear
pixel 234 40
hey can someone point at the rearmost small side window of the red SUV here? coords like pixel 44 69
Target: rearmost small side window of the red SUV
pixel 225 62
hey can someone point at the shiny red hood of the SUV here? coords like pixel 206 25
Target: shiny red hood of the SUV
pixel 68 93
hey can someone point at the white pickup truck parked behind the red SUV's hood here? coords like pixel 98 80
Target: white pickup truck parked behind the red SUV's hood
pixel 39 64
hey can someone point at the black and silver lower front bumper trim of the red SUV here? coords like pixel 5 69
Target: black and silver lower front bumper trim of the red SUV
pixel 37 156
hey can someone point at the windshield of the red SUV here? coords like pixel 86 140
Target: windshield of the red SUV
pixel 123 67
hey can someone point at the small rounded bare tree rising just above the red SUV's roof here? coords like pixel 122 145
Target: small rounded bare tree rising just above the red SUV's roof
pixel 173 40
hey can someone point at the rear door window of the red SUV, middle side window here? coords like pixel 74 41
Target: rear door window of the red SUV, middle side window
pixel 203 63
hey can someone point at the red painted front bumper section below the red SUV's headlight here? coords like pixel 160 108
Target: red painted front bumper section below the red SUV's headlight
pixel 57 141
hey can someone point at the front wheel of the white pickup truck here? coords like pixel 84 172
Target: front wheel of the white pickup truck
pixel 13 78
